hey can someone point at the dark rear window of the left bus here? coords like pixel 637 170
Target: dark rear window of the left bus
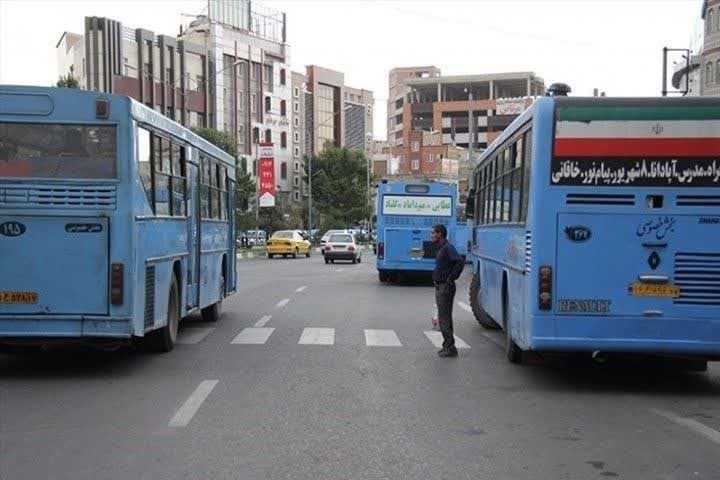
pixel 44 150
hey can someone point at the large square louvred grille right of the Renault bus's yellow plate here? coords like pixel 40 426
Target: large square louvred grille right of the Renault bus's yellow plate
pixel 698 276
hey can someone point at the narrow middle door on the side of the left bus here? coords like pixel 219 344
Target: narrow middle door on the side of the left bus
pixel 193 230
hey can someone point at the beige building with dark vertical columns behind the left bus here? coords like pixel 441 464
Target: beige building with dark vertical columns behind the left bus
pixel 160 71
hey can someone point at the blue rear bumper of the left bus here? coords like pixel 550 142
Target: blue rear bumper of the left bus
pixel 64 327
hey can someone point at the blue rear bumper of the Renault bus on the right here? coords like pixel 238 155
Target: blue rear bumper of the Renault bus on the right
pixel 629 335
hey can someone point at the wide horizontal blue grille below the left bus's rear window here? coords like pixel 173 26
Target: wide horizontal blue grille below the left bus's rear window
pixel 56 196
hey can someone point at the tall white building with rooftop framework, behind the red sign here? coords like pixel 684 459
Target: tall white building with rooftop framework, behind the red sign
pixel 252 79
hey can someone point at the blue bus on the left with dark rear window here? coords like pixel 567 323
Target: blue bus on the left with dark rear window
pixel 115 221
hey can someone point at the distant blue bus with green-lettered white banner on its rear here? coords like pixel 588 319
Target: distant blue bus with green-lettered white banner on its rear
pixel 406 213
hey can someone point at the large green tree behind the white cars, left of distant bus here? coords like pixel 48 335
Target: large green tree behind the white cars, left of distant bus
pixel 339 187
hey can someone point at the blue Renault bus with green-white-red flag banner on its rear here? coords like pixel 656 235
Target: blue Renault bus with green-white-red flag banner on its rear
pixel 597 228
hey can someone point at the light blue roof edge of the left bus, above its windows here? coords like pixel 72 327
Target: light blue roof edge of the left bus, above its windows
pixel 33 102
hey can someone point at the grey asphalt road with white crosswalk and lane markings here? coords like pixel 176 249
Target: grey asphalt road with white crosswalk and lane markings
pixel 257 396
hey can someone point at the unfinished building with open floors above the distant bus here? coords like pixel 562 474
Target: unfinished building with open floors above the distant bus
pixel 466 112
